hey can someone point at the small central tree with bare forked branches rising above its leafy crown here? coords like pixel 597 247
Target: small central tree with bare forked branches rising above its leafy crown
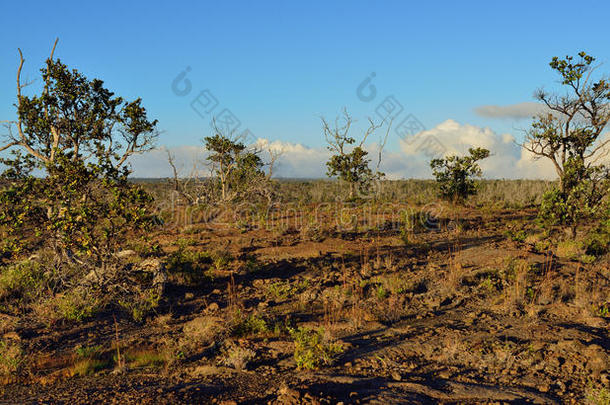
pixel 350 163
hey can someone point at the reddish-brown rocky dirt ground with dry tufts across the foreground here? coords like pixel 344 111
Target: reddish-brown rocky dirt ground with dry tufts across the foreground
pixel 453 315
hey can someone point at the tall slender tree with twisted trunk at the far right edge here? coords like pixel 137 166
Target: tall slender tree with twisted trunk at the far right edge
pixel 569 135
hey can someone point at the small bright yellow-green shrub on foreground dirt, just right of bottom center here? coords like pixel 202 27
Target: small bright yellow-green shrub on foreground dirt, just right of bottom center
pixel 312 348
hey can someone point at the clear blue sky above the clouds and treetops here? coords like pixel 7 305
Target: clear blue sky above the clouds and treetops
pixel 279 65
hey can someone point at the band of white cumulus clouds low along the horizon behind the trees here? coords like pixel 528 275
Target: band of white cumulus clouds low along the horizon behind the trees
pixel 409 160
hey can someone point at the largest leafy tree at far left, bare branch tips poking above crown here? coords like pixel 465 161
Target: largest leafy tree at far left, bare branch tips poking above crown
pixel 65 185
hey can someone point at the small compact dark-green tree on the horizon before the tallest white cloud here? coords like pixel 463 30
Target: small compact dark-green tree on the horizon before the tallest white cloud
pixel 454 174
